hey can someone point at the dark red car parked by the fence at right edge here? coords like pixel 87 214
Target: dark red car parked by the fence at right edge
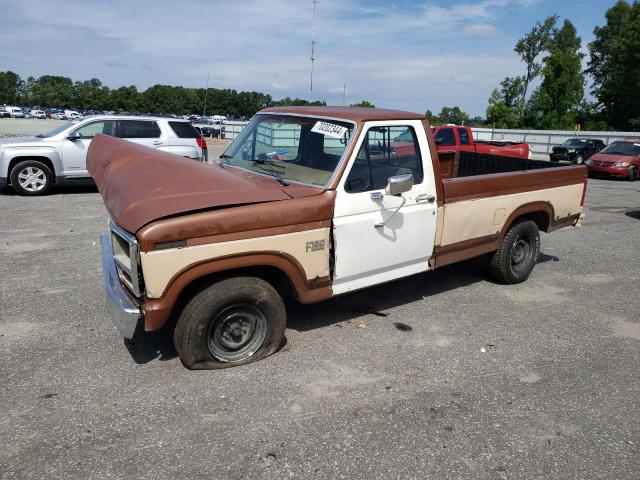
pixel 620 159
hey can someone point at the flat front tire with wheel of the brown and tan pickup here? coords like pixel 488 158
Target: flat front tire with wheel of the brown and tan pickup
pixel 229 323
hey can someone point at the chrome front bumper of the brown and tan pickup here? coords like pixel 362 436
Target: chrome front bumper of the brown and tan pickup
pixel 125 313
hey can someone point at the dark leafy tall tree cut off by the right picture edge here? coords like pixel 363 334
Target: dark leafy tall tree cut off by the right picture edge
pixel 615 65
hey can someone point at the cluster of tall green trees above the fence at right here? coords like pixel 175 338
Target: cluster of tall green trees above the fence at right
pixel 554 55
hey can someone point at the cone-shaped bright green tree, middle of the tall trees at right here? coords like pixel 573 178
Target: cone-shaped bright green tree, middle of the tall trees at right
pixel 562 88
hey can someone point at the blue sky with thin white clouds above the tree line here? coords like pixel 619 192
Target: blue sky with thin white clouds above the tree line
pixel 410 55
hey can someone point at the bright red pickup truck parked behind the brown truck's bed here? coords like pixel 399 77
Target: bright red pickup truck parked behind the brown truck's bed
pixel 454 137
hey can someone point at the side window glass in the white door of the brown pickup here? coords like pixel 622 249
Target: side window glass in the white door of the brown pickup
pixel 385 152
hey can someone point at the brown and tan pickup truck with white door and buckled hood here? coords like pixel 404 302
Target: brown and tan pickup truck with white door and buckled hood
pixel 310 203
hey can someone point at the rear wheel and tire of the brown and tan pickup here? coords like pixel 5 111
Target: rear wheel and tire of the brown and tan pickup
pixel 516 256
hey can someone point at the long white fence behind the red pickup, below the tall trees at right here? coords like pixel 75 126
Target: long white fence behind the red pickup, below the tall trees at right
pixel 541 141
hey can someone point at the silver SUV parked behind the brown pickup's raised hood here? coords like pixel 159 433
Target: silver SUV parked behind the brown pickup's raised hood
pixel 31 165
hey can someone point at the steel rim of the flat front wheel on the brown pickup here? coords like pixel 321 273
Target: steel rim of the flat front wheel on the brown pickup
pixel 237 332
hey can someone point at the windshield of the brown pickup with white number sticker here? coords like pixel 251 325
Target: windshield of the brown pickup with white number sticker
pixel 290 148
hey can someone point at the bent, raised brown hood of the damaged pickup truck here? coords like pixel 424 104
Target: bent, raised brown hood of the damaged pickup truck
pixel 140 184
